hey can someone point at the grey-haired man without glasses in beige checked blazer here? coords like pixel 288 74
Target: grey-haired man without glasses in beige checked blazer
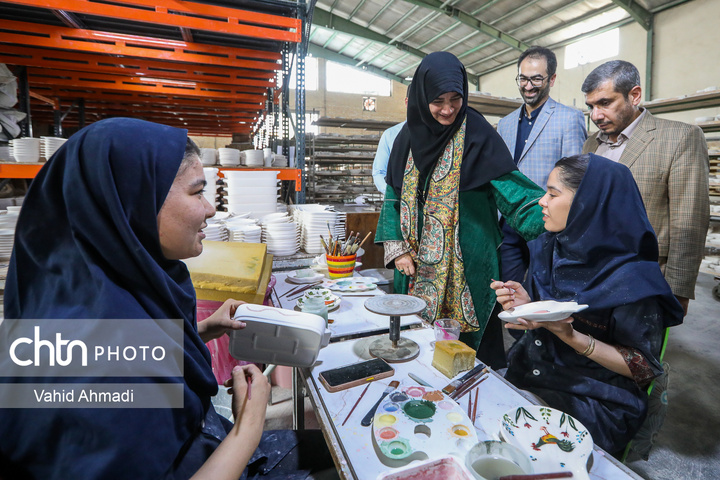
pixel 669 161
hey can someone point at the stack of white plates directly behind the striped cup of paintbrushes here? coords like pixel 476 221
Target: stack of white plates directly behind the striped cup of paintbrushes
pixel 316 220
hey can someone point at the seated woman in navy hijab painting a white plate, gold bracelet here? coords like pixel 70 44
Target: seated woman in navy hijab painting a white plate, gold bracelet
pixel 601 251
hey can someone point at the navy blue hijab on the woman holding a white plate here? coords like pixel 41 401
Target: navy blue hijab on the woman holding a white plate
pixel 607 254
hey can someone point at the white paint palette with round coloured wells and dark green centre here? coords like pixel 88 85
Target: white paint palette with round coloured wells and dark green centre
pixel 418 419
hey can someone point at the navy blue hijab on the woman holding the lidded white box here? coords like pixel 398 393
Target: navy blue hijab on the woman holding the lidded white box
pixel 87 246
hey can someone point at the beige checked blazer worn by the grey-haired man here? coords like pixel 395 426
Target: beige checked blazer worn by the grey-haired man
pixel 669 161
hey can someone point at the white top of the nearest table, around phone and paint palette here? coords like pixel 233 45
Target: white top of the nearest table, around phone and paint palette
pixel 352 444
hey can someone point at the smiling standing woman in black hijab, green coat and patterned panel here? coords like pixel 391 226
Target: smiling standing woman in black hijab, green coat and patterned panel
pixel 449 173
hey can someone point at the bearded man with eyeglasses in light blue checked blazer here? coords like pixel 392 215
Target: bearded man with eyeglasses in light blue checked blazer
pixel 538 134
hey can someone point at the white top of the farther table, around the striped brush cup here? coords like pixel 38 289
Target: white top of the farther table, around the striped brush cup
pixel 351 318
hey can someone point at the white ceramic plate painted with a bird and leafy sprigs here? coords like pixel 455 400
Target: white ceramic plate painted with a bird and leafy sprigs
pixel 554 440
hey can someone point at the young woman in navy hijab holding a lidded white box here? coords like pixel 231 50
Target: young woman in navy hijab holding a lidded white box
pixel 101 234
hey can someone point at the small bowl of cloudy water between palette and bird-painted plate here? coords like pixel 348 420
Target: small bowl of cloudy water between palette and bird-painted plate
pixel 493 459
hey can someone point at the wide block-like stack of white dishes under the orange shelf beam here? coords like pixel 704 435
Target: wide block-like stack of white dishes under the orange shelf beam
pixel 253 192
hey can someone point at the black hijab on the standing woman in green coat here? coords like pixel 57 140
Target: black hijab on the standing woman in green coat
pixel 485 155
